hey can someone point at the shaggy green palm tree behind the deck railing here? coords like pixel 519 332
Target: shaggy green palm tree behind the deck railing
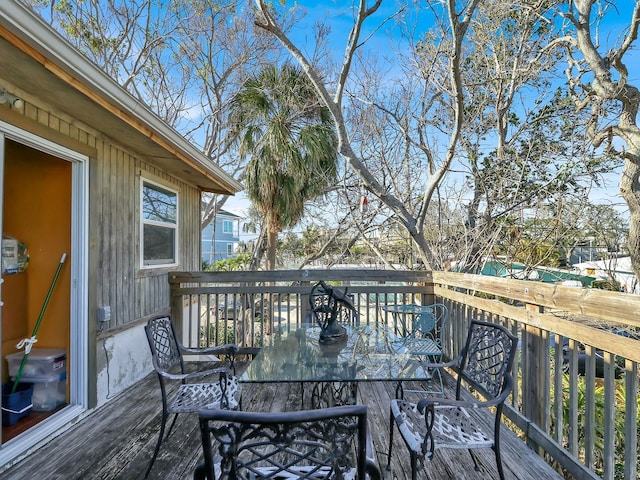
pixel 292 143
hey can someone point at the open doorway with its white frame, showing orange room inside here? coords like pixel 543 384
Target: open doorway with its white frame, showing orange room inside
pixel 44 191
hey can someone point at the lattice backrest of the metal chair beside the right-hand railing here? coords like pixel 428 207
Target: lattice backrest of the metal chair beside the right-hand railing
pixel 488 358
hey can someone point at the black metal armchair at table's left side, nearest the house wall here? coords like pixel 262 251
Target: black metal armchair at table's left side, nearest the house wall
pixel 222 390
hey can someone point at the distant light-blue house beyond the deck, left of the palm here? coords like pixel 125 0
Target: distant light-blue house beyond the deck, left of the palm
pixel 221 242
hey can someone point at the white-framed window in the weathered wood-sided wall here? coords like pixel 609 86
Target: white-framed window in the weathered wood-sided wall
pixel 159 207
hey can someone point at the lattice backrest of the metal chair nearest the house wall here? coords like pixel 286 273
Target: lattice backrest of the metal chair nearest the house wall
pixel 165 350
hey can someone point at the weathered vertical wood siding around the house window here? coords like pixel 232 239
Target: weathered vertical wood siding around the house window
pixel 131 292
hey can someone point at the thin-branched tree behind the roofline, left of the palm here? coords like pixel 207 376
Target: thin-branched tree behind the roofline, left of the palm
pixel 185 59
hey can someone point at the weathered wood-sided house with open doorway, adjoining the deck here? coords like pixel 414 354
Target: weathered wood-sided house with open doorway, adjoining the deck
pixel 87 170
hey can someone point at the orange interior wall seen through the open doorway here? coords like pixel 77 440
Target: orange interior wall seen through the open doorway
pixel 36 211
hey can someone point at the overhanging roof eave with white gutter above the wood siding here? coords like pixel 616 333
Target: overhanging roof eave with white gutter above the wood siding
pixel 37 60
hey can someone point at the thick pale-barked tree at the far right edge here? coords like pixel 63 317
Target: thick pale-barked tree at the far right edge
pixel 600 84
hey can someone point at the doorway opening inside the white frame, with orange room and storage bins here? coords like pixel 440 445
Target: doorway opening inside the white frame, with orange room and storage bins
pixel 36 217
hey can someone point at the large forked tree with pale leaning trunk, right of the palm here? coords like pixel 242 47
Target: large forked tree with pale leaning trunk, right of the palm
pixel 410 122
